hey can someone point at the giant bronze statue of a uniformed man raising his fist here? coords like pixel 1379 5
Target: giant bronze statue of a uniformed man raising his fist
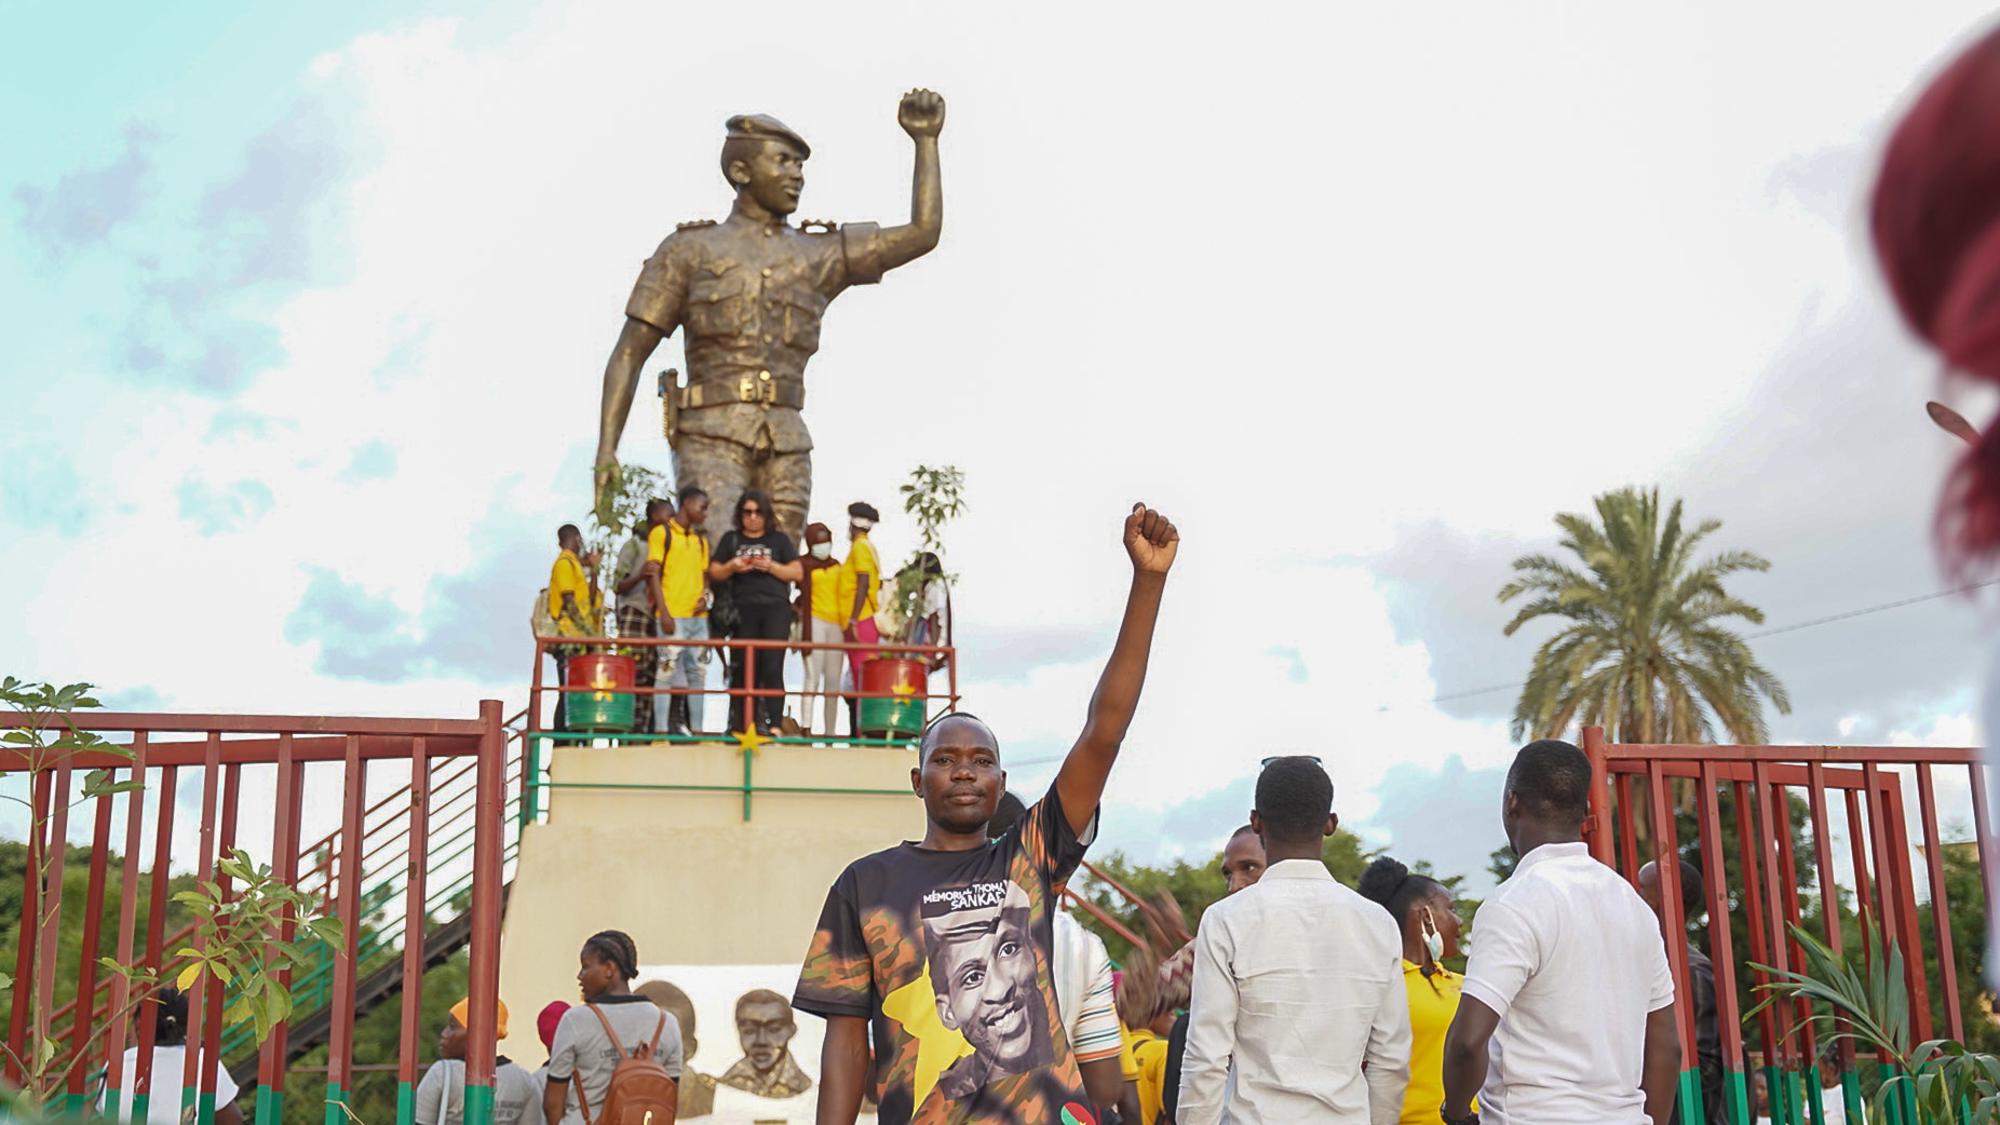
pixel 751 293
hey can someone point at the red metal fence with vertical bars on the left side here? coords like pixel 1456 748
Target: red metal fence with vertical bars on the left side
pixel 447 776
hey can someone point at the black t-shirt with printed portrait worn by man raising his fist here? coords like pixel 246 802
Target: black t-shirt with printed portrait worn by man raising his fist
pixel 947 954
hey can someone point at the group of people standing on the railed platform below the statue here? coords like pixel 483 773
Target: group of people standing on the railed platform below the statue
pixel 669 582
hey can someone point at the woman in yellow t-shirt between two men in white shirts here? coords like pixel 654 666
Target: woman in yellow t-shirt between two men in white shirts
pixel 1429 920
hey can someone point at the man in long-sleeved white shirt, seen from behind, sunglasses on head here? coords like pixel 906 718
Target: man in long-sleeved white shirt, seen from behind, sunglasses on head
pixel 1299 1006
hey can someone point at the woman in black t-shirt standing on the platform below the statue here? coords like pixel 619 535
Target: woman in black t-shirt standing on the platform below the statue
pixel 759 564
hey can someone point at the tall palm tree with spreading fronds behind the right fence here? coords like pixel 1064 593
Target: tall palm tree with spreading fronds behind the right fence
pixel 1643 652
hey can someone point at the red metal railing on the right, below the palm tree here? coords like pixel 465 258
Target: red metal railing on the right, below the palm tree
pixel 1771 892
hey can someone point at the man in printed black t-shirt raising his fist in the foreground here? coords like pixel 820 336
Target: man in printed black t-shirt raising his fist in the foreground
pixel 943 950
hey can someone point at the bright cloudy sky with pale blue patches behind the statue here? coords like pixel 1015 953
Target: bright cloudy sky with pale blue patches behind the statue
pixel 307 315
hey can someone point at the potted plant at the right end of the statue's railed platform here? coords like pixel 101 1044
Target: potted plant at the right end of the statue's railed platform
pixel 897 682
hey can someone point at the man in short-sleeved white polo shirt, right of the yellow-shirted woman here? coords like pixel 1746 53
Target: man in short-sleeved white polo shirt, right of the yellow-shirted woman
pixel 1569 1006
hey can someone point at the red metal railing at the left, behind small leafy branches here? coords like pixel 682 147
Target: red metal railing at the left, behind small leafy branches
pixel 301 752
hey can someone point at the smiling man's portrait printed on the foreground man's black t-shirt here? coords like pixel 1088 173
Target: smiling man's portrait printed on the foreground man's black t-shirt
pixel 985 978
